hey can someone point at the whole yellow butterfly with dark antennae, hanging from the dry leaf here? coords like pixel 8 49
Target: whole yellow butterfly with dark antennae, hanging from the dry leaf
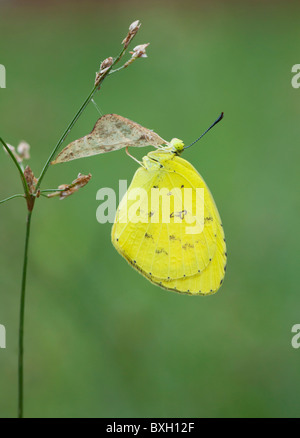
pixel 154 233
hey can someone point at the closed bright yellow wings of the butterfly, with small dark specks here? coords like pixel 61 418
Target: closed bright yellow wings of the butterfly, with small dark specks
pixel 164 252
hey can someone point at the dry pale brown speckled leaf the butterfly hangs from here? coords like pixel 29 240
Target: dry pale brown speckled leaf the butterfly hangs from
pixel 110 133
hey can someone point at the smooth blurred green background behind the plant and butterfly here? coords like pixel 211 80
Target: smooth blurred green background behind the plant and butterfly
pixel 102 341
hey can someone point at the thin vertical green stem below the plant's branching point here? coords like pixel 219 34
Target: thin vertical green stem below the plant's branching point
pixel 21 321
